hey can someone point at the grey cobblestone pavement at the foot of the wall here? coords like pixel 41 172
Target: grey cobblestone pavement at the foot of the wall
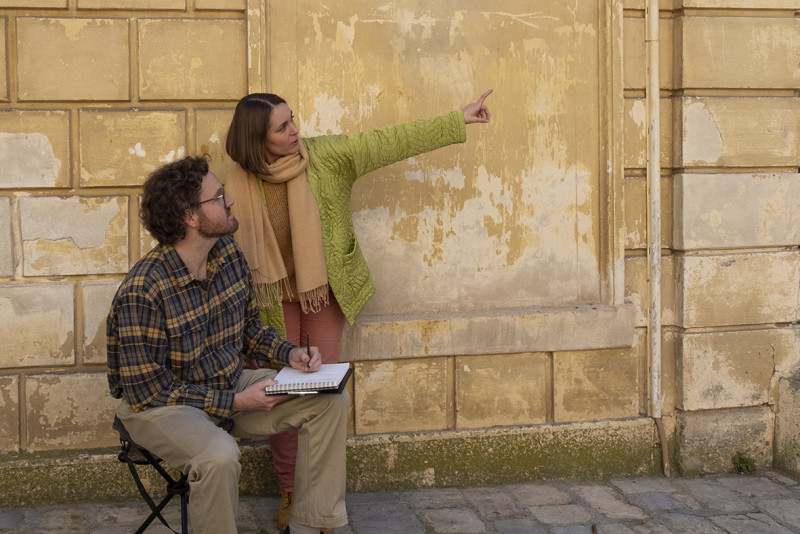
pixel 764 502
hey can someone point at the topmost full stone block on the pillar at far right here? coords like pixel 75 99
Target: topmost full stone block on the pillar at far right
pixel 740 52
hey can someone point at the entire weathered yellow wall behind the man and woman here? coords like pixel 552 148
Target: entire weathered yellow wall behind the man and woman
pixel 511 270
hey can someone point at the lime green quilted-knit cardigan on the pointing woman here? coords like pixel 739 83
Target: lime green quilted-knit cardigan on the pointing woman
pixel 335 163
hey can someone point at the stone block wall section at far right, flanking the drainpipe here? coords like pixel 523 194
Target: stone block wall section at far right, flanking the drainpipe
pixel 731 265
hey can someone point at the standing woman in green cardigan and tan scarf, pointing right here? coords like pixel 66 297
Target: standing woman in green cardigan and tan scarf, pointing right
pixel 296 229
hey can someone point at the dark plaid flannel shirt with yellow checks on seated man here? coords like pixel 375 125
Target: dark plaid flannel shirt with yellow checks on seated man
pixel 175 340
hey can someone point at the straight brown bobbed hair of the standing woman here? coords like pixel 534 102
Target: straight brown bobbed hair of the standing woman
pixel 247 134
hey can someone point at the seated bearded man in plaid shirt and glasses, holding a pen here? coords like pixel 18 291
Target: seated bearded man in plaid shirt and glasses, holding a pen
pixel 180 325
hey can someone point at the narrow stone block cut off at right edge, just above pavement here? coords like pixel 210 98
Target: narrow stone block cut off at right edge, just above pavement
pixel 787 426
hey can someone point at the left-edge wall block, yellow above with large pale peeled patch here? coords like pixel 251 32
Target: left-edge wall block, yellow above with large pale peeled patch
pixel 35 149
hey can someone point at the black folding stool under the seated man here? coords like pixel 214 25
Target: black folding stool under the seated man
pixel 133 454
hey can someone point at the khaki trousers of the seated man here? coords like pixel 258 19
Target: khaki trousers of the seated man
pixel 189 440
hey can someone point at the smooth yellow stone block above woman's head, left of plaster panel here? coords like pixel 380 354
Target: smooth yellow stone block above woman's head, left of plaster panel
pixel 198 59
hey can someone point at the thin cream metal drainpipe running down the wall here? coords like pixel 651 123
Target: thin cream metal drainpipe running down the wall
pixel 653 95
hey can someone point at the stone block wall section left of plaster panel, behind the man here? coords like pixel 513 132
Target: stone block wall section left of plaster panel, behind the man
pixel 94 95
